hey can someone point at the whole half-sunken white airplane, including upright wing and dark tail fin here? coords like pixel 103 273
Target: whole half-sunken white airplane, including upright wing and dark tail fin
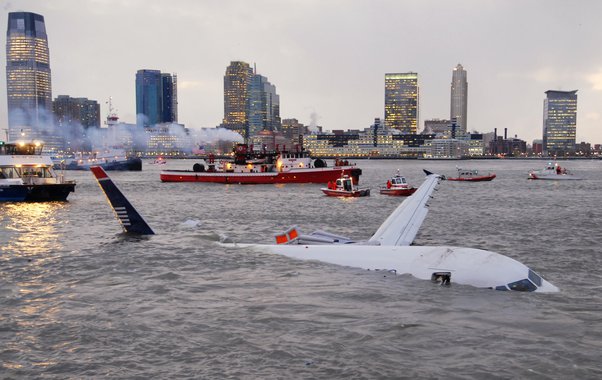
pixel 390 249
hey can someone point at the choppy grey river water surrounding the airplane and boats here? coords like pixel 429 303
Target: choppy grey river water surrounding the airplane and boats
pixel 80 300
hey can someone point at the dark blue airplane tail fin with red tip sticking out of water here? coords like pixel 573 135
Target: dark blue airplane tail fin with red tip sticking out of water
pixel 127 215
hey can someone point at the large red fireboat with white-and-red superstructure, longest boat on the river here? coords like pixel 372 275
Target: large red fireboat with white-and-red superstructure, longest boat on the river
pixel 250 167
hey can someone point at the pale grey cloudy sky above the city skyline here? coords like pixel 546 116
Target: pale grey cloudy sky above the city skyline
pixel 329 57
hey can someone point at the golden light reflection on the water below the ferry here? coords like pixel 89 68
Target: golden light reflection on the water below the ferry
pixel 31 278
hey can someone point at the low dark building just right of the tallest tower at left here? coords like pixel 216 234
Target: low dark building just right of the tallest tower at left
pixel 70 111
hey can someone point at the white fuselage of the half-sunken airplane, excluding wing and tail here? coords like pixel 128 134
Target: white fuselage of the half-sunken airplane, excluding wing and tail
pixel 467 266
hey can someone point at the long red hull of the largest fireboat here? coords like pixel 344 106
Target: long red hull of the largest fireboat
pixel 314 175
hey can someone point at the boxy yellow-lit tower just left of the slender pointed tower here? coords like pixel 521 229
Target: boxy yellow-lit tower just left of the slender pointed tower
pixel 401 102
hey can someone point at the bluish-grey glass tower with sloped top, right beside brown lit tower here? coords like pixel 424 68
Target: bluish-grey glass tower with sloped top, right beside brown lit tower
pixel 264 105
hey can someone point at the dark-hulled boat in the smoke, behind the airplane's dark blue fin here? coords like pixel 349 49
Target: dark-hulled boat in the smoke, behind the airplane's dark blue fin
pixel 111 159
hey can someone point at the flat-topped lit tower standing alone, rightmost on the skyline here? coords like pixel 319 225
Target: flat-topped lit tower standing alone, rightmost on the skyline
pixel 559 122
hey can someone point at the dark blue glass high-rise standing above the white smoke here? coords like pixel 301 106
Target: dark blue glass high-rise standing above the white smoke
pixel 156 97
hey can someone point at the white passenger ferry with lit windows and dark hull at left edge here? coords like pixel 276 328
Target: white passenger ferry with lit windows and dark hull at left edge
pixel 27 176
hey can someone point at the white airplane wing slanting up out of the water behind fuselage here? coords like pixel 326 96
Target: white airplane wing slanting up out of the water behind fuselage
pixel 402 225
